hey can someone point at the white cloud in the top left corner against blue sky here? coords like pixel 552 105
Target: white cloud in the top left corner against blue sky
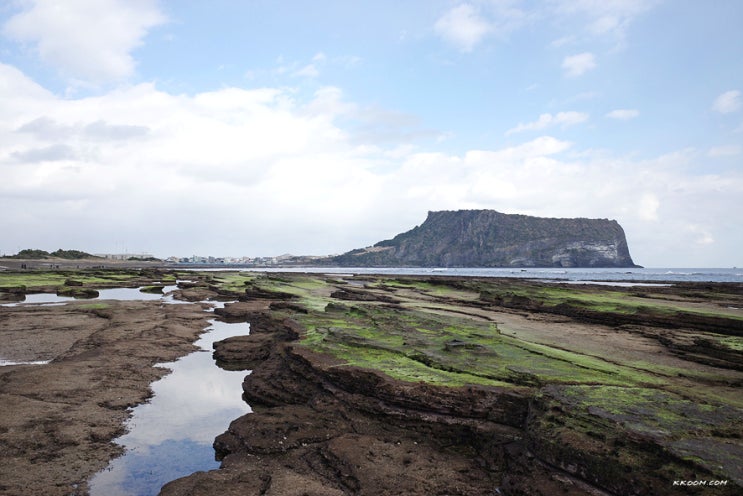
pixel 84 40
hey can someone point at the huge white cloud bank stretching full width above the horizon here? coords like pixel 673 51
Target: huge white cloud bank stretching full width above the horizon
pixel 261 172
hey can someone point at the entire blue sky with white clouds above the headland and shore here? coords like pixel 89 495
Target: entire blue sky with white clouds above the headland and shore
pixel 261 128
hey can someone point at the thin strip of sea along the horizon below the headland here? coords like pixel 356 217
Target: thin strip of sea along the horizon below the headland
pixel 614 276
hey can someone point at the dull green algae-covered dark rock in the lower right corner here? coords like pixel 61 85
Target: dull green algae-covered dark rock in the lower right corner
pixel 638 428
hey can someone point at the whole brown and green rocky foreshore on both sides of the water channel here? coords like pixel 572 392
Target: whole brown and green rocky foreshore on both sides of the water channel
pixel 329 422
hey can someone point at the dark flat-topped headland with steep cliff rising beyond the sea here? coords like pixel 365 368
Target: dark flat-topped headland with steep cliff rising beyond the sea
pixel 486 238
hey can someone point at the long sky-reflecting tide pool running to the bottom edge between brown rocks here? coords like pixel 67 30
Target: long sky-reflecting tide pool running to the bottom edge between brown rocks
pixel 171 436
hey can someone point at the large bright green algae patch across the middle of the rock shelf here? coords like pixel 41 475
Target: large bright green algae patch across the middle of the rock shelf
pixel 472 349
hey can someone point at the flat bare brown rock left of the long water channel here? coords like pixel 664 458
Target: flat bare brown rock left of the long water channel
pixel 58 420
